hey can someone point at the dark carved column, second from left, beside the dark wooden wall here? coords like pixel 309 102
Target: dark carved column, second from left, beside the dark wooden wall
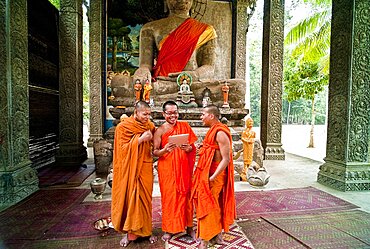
pixel 71 151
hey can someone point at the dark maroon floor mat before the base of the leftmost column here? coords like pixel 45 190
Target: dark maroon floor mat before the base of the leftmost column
pixel 32 217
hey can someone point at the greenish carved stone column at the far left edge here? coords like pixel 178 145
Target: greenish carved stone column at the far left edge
pixel 17 178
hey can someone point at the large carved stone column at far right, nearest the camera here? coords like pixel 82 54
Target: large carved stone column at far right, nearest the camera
pixel 347 165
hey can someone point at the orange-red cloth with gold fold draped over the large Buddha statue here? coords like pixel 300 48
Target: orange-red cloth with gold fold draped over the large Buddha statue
pixel 176 49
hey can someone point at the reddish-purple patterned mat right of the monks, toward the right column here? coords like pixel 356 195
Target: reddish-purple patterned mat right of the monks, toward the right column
pixel 293 201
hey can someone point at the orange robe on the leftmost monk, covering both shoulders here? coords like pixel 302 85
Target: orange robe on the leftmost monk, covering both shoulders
pixel 132 179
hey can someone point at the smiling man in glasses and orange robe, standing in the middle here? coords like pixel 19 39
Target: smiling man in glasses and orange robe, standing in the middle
pixel 175 168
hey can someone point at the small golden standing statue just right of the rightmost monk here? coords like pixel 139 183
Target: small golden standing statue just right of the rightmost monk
pixel 248 137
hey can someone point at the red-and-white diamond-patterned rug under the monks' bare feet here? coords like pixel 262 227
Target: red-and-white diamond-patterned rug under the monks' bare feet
pixel 235 238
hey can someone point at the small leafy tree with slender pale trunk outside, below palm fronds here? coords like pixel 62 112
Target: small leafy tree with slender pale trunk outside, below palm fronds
pixel 303 81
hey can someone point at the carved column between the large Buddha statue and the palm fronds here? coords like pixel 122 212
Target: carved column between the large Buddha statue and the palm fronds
pixel 272 74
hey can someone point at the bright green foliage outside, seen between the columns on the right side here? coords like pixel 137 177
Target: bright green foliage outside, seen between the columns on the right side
pixel 307 41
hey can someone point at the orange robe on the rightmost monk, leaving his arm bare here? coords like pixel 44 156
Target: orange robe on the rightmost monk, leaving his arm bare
pixel 214 201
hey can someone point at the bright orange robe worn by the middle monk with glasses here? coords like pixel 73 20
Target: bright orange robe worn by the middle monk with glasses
pixel 174 171
